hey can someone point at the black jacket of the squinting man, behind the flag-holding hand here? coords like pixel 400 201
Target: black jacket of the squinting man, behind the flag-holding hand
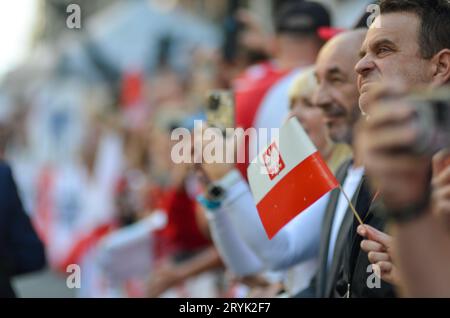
pixel 356 279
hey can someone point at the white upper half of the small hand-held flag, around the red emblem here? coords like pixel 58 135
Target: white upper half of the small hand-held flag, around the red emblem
pixel 294 147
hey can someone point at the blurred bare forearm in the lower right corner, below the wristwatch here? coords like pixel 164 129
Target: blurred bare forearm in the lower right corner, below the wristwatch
pixel 423 244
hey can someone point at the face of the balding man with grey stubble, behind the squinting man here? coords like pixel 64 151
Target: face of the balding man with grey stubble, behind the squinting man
pixel 337 93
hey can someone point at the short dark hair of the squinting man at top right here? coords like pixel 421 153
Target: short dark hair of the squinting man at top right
pixel 434 32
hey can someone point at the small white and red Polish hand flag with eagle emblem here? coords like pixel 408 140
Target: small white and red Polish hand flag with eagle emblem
pixel 288 177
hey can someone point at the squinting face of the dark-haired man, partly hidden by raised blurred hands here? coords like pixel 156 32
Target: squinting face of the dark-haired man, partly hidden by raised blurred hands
pixel 391 55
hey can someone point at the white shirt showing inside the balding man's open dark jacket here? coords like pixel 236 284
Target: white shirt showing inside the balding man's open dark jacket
pixel 350 185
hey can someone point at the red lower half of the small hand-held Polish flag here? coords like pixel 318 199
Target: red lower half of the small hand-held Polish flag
pixel 276 209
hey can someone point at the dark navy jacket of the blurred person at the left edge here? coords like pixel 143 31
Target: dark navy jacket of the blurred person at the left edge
pixel 20 249
